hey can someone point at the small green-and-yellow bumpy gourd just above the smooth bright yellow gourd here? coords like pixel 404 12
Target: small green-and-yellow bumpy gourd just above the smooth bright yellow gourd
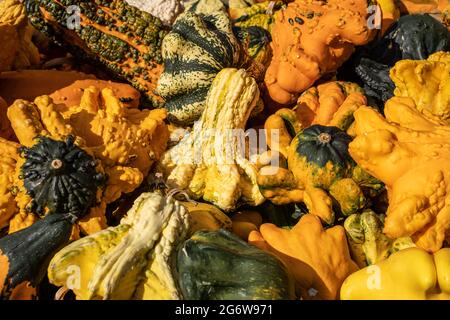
pixel 368 245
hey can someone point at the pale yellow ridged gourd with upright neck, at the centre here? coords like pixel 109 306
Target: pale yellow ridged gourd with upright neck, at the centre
pixel 208 163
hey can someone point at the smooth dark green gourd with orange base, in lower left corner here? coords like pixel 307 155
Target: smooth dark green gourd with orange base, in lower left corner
pixel 24 255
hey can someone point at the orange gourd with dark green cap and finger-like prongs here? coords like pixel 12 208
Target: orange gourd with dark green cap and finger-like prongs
pixel 318 161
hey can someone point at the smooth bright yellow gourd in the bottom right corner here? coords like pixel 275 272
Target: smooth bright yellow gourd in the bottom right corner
pixel 410 274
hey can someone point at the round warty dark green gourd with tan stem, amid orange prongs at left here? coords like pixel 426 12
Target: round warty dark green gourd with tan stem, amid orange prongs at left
pixel 60 176
